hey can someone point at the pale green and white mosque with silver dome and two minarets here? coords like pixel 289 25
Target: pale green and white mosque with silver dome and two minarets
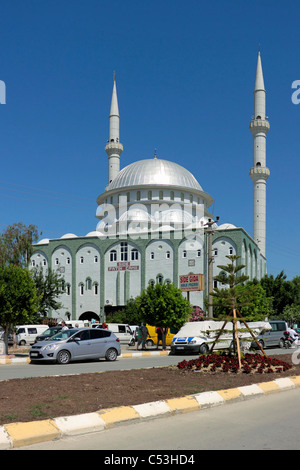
pixel 155 226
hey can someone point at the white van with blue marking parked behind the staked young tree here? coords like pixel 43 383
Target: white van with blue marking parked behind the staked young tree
pixel 198 337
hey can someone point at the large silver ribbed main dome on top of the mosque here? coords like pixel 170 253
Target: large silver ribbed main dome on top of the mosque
pixel 154 171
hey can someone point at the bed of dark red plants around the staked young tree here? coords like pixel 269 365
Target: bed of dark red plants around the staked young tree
pixel 251 363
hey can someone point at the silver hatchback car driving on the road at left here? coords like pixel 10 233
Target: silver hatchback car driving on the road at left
pixel 77 344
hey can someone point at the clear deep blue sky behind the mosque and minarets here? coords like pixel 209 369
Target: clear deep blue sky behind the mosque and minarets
pixel 185 74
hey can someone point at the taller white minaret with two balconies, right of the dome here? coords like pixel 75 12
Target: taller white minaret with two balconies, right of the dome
pixel 259 173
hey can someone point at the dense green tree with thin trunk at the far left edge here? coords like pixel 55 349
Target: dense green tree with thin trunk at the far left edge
pixel 18 299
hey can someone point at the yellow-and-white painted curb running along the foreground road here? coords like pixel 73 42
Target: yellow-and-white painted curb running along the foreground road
pixel 23 434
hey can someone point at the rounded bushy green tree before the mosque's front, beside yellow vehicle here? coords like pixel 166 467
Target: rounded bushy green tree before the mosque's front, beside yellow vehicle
pixel 164 306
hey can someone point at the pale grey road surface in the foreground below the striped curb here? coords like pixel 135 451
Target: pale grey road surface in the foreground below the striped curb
pixel 270 422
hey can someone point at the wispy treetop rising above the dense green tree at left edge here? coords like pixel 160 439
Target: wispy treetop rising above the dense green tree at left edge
pixel 16 244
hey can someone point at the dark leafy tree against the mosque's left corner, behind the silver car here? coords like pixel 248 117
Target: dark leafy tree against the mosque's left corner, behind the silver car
pixel 49 287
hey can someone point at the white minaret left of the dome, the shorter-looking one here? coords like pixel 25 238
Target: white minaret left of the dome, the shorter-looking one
pixel 113 147
